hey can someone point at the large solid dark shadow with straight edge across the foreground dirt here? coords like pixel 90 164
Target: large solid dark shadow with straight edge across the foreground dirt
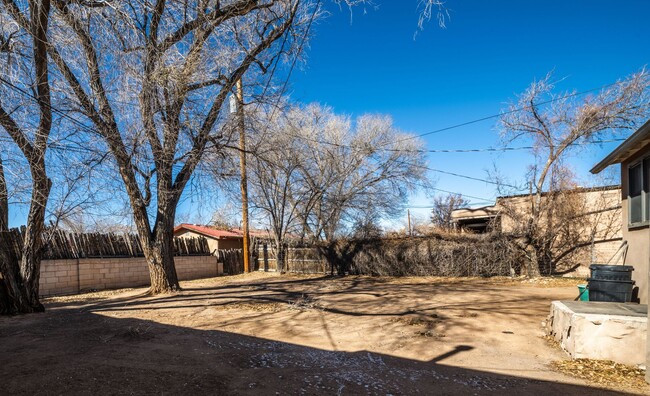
pixel 73 351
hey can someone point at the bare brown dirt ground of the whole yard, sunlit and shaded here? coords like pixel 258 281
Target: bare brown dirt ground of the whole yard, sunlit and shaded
pixel 265 334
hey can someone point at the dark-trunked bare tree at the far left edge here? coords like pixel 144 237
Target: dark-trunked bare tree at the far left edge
pixel 28 123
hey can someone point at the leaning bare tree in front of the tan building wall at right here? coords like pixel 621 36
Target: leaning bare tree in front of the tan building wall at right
pixel 556 124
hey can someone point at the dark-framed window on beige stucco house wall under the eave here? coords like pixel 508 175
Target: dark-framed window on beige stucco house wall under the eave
pixel 639 193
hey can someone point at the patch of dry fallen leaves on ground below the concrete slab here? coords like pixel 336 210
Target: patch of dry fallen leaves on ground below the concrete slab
pixel 603 372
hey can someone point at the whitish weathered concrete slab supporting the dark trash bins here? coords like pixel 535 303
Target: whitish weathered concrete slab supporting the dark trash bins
pixel 600 330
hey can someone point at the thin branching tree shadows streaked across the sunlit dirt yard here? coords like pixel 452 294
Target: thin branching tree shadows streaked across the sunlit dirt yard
pixel 351 297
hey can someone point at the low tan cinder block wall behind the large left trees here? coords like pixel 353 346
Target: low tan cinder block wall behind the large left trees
pixel 72 276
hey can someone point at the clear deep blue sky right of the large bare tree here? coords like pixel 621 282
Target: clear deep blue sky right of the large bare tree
pixel 370 62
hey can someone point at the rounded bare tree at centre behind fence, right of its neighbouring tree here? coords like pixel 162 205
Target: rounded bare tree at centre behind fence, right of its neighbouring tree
pixel 371 165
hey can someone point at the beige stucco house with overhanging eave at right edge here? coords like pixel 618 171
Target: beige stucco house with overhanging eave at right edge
pixel 634 156
